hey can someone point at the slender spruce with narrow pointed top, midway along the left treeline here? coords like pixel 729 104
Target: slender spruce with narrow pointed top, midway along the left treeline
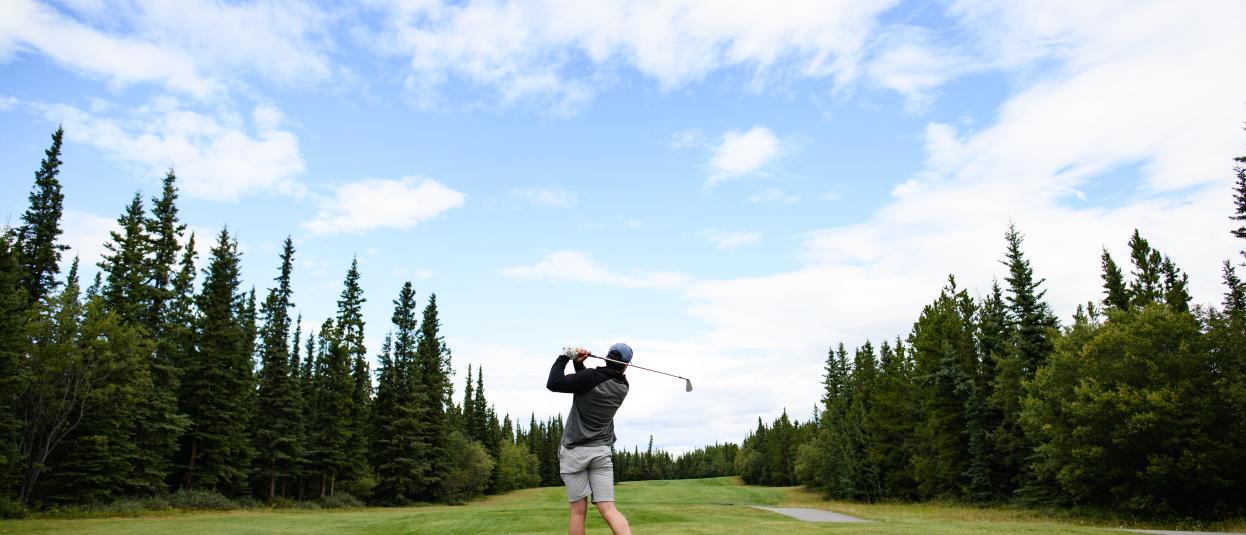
pixel 278 412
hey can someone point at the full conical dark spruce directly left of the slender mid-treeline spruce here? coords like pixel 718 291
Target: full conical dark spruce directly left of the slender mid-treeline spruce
pixel 220 383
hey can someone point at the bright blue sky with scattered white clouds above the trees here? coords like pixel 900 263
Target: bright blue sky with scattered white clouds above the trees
pixel 731 188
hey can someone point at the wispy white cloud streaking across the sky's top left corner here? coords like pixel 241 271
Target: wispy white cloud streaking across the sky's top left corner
pixel 196 48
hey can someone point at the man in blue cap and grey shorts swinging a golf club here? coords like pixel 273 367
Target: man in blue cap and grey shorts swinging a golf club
pixel 585 452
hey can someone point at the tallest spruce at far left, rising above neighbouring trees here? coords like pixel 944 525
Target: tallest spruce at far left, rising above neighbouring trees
pixel 40 255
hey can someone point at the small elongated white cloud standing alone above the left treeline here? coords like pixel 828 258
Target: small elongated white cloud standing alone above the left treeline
pixel 384 204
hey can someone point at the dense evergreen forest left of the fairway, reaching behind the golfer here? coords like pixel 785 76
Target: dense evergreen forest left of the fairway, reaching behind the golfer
pixel 168 380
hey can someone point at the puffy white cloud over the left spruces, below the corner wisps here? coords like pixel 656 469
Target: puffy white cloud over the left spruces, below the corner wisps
pixel 215 157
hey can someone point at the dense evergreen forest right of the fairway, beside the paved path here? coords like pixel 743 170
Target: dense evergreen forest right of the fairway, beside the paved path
pixel 1139 405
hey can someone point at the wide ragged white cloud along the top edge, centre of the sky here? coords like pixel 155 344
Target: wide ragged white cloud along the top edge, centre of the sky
pixel 559 53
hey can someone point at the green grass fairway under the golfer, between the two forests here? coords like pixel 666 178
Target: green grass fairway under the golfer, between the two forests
pixel 691 507
